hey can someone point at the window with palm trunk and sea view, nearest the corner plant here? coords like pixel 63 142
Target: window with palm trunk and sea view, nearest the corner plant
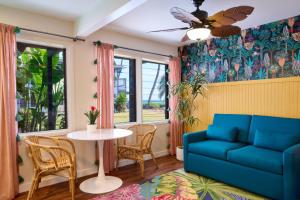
pixel 154 91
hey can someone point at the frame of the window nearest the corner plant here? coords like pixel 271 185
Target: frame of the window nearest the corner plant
pixel 166 90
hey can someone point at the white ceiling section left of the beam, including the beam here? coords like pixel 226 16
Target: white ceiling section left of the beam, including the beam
pixel 88 15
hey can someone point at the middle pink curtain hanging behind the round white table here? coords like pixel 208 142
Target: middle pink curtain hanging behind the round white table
pixel 105 91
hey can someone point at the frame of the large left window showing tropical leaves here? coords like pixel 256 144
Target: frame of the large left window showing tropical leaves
pixel 32 44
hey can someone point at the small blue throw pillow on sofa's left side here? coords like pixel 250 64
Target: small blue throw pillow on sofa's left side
pixel 222 133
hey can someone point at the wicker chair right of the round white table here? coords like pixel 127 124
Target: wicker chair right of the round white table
pixel 144 134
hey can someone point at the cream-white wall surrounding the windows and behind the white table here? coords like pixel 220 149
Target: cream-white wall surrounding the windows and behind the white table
pixel 80 74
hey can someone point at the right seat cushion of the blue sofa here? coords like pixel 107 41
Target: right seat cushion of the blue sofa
pixel 259 158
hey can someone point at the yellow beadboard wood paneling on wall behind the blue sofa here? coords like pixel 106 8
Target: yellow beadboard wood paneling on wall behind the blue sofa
pixel 271 97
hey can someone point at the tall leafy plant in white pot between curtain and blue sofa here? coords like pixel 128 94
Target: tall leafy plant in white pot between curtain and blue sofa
pixel 187 91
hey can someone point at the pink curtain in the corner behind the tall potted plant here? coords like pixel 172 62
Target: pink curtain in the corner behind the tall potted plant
pixel 176 128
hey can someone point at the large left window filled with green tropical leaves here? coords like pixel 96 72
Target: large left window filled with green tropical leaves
pixel 41 88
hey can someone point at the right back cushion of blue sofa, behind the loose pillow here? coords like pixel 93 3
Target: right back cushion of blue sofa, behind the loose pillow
pixel 273 124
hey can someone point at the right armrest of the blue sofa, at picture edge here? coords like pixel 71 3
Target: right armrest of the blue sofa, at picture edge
pixel 291 172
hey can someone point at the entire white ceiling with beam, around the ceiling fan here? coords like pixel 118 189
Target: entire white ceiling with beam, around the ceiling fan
pixel 137 17
